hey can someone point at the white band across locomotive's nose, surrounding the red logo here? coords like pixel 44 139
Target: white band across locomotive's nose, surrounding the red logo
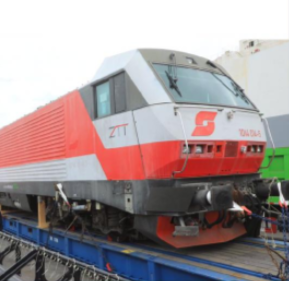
pixel 160 123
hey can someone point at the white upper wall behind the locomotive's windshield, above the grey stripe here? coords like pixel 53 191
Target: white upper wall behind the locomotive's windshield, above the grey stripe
pixel 263 71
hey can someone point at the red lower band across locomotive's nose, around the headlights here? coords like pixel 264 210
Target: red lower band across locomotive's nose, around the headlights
pixel 161 159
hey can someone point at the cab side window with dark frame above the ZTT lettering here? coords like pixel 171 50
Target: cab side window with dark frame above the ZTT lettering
pixel 110 96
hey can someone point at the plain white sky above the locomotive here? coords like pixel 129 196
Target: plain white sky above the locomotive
pixel 49 48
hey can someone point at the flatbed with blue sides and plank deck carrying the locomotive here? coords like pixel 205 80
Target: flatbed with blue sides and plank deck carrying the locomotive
pixel 243 259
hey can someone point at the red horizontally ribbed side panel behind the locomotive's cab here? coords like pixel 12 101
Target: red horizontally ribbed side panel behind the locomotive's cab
pixel 38 139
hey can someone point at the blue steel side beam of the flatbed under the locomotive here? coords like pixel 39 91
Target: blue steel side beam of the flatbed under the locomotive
pixel 131 264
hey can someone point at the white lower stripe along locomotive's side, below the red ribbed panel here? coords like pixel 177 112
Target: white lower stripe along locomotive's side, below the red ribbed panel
pixel 71 169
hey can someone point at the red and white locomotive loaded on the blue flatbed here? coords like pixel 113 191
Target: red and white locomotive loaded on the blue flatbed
pixel 160 142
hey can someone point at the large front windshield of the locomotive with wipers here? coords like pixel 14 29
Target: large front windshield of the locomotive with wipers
pixel 188 85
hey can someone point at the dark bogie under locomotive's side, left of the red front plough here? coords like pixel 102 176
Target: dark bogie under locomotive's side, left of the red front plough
pixel 91 217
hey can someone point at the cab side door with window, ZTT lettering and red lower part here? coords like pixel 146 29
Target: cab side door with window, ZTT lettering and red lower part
pixel 120 157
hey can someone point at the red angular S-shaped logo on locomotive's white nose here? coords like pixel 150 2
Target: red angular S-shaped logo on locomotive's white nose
pixel 205 124
